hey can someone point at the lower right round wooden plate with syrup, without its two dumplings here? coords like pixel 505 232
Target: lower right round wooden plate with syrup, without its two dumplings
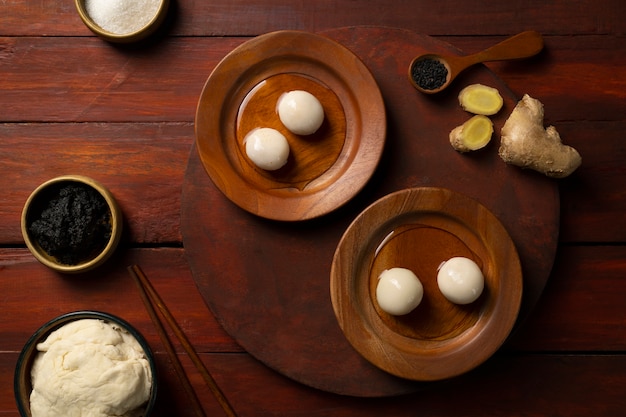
pixel 419 229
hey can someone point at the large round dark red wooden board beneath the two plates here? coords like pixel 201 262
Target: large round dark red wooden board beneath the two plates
pixel 268 281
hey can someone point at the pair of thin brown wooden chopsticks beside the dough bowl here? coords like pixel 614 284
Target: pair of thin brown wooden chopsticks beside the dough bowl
pixel 149 297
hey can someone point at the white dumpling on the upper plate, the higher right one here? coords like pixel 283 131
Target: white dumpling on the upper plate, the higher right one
pixel 301 112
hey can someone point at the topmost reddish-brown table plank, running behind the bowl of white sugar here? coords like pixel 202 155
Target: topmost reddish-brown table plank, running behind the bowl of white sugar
pixel 250 18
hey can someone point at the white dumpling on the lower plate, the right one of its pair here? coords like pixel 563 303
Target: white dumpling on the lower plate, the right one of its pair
pixel 460 280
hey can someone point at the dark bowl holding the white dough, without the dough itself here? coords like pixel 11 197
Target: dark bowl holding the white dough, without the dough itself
pixel 22 377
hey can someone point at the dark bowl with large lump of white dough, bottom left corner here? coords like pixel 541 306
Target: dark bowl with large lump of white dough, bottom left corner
pixel 85 363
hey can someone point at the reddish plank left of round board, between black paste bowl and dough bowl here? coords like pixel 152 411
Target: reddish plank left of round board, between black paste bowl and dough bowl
pixel 106 289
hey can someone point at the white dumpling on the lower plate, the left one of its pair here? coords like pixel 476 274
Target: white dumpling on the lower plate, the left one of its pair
pixel 398 291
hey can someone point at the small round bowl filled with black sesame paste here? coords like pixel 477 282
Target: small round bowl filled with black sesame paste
pixel 71 223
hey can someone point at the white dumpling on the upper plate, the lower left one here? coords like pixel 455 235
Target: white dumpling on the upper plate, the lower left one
pixel 267 148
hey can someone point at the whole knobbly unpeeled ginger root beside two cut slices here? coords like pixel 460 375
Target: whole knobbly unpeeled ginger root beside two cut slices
pixel 527 144
